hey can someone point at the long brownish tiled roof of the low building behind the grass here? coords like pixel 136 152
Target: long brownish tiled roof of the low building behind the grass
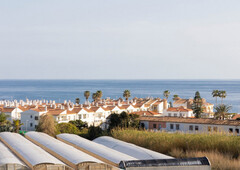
pixel 191 120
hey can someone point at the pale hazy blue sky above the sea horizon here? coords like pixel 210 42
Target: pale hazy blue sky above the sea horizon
pixel 120 39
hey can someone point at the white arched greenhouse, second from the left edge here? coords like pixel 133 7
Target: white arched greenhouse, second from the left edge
pixel 32 155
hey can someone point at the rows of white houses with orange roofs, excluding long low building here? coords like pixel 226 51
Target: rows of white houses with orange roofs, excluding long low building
pixel 97 113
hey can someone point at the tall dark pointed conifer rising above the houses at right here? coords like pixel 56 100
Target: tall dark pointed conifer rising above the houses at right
pixel 197 105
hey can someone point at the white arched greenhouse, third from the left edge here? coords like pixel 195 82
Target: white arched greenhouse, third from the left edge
pixel 66 153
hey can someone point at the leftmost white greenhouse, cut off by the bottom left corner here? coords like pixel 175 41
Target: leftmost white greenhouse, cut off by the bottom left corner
pixel 8 161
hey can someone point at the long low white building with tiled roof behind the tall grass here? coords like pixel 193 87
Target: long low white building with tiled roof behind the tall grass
pixel 190 125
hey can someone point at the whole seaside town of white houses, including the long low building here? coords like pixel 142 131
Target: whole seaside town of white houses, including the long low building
pixel 154 113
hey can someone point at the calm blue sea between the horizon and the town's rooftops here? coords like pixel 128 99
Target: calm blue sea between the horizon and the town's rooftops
pixel 61 90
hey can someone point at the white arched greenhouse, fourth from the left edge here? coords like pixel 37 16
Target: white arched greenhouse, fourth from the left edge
pixel 99 151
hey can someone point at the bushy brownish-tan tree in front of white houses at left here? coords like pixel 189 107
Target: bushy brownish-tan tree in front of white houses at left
pixel 47 125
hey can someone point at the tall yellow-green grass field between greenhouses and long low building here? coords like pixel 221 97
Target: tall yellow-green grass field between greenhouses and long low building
pixel 222 150
